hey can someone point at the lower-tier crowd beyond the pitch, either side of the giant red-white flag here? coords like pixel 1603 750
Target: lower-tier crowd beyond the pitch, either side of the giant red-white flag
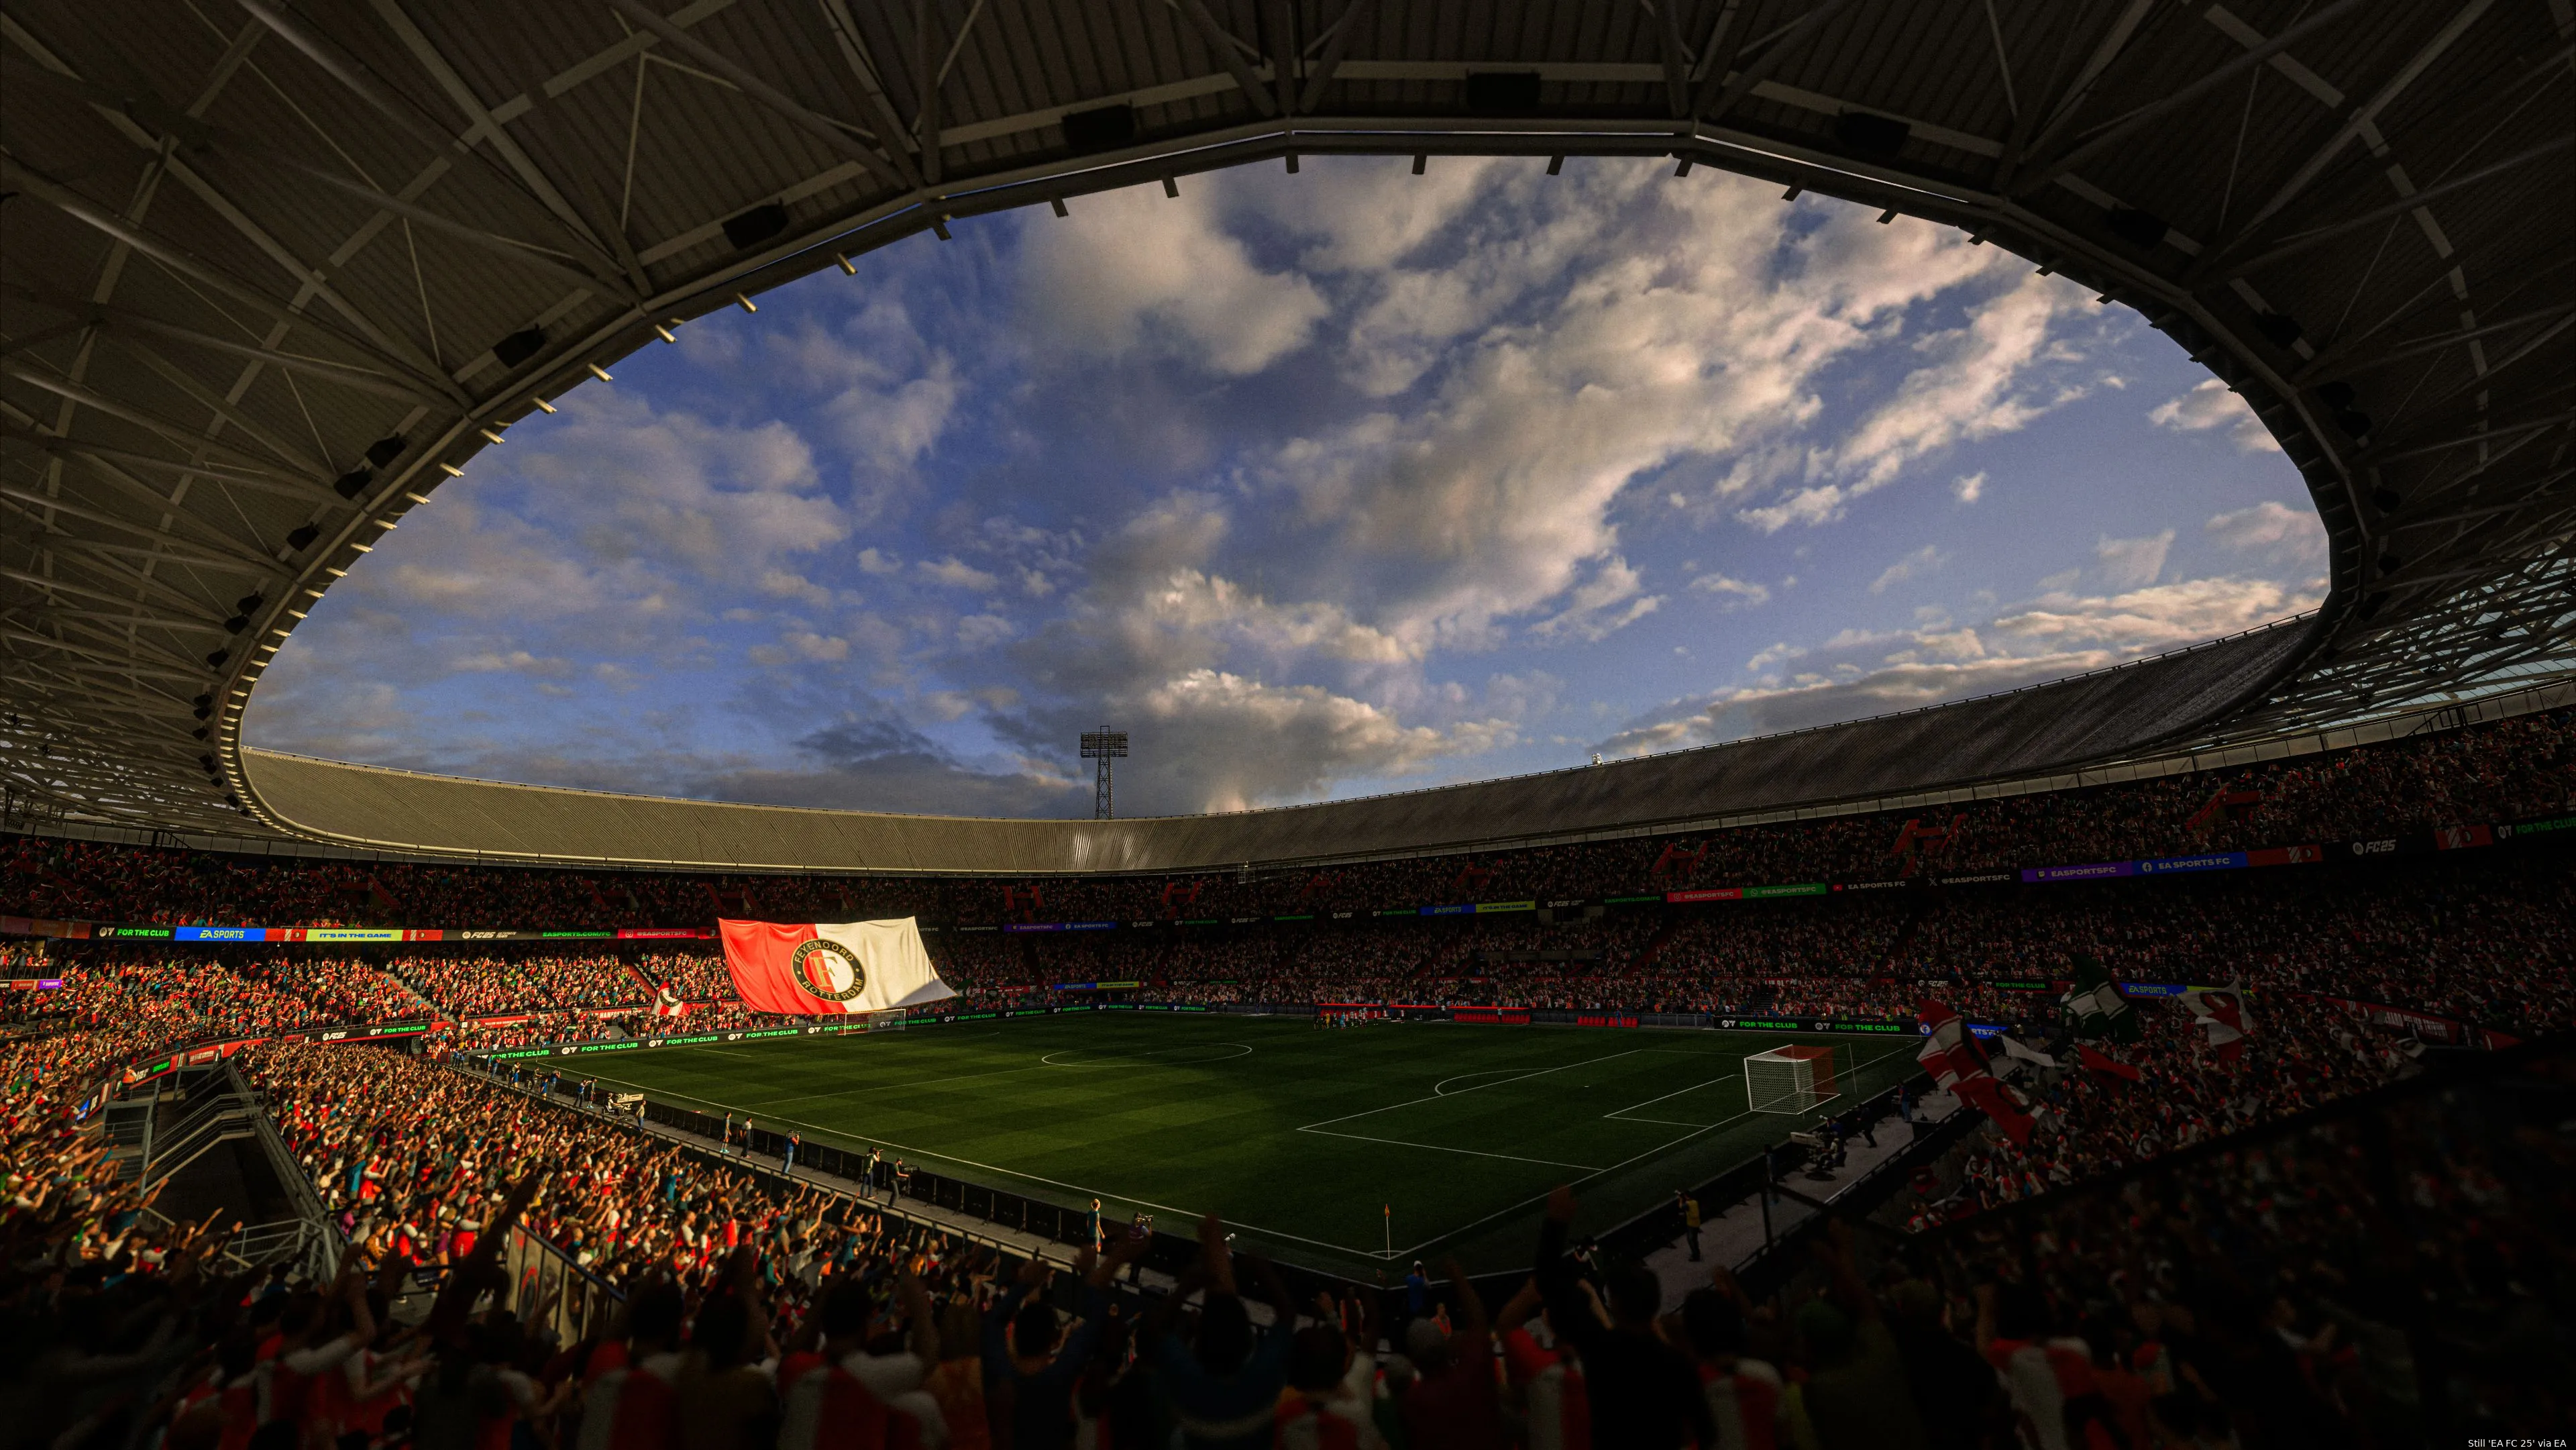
pixel 2472 939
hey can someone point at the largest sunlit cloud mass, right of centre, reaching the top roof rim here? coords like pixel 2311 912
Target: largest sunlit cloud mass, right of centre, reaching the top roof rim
pixel 1580 359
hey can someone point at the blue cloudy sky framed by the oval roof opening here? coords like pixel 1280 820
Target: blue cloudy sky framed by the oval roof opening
pixel 1318 485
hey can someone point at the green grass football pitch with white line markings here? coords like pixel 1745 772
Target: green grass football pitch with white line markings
pixel 1323 1147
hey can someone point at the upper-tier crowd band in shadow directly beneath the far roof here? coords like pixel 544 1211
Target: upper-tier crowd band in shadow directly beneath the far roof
pixel 2482 774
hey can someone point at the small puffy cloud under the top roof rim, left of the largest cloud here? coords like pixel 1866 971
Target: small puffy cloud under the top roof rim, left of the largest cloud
pixel 1132 269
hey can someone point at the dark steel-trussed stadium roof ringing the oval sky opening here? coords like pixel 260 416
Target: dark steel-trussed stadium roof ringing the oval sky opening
pixel 272 274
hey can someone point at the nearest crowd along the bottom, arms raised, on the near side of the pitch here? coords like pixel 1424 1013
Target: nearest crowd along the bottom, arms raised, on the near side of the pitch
pixel 2348 1284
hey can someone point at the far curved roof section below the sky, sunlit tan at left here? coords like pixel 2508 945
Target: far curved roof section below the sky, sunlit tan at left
pixel 2036 730
